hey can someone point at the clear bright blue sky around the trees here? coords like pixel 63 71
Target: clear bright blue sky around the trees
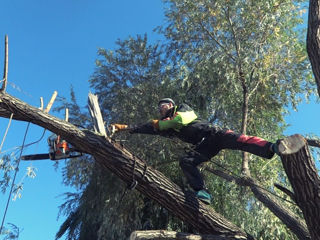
pixel 53 44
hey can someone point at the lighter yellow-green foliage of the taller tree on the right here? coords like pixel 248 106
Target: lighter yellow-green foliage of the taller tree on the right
pixel 232 51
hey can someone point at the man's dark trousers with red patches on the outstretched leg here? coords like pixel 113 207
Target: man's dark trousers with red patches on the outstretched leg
pixel 211 145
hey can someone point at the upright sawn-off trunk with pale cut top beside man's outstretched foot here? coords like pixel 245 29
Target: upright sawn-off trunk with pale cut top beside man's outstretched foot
pixel 303 176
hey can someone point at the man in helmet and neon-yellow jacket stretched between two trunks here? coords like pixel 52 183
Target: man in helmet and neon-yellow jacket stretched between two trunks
pixel 182 122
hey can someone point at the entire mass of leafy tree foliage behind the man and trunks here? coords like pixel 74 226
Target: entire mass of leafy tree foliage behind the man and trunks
pixel 240 64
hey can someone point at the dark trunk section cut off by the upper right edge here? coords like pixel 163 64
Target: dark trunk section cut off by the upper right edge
pixel 313 39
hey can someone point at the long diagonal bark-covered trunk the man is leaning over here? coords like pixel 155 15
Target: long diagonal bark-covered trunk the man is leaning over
pixel 128 167
